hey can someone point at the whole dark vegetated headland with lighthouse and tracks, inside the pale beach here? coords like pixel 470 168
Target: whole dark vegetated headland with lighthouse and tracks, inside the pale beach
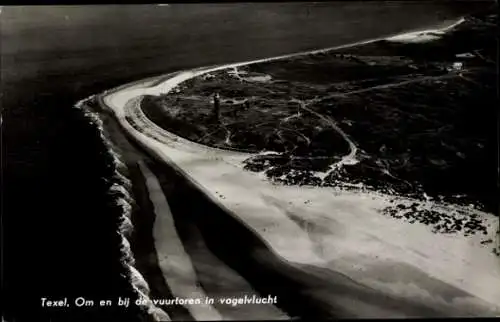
pixel 402 118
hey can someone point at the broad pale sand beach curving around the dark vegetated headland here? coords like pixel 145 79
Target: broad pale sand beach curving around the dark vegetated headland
pixel 328 228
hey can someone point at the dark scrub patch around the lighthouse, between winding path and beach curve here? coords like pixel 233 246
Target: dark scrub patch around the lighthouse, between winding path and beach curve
pixel 258 127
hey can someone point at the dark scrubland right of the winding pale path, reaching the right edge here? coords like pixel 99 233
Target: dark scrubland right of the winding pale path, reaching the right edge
pixel 437 134
